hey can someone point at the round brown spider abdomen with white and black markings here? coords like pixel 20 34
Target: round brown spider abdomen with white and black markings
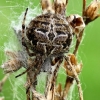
pixel 49 34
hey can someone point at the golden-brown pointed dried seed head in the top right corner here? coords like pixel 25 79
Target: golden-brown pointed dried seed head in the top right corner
pixel 91 12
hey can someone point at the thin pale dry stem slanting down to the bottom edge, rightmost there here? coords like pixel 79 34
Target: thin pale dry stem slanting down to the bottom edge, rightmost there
pixel 77 80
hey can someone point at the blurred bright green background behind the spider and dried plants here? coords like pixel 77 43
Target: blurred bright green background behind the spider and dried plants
pixel 89 51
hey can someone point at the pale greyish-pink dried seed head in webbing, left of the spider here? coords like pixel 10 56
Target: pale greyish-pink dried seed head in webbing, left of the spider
pixel 14 63
